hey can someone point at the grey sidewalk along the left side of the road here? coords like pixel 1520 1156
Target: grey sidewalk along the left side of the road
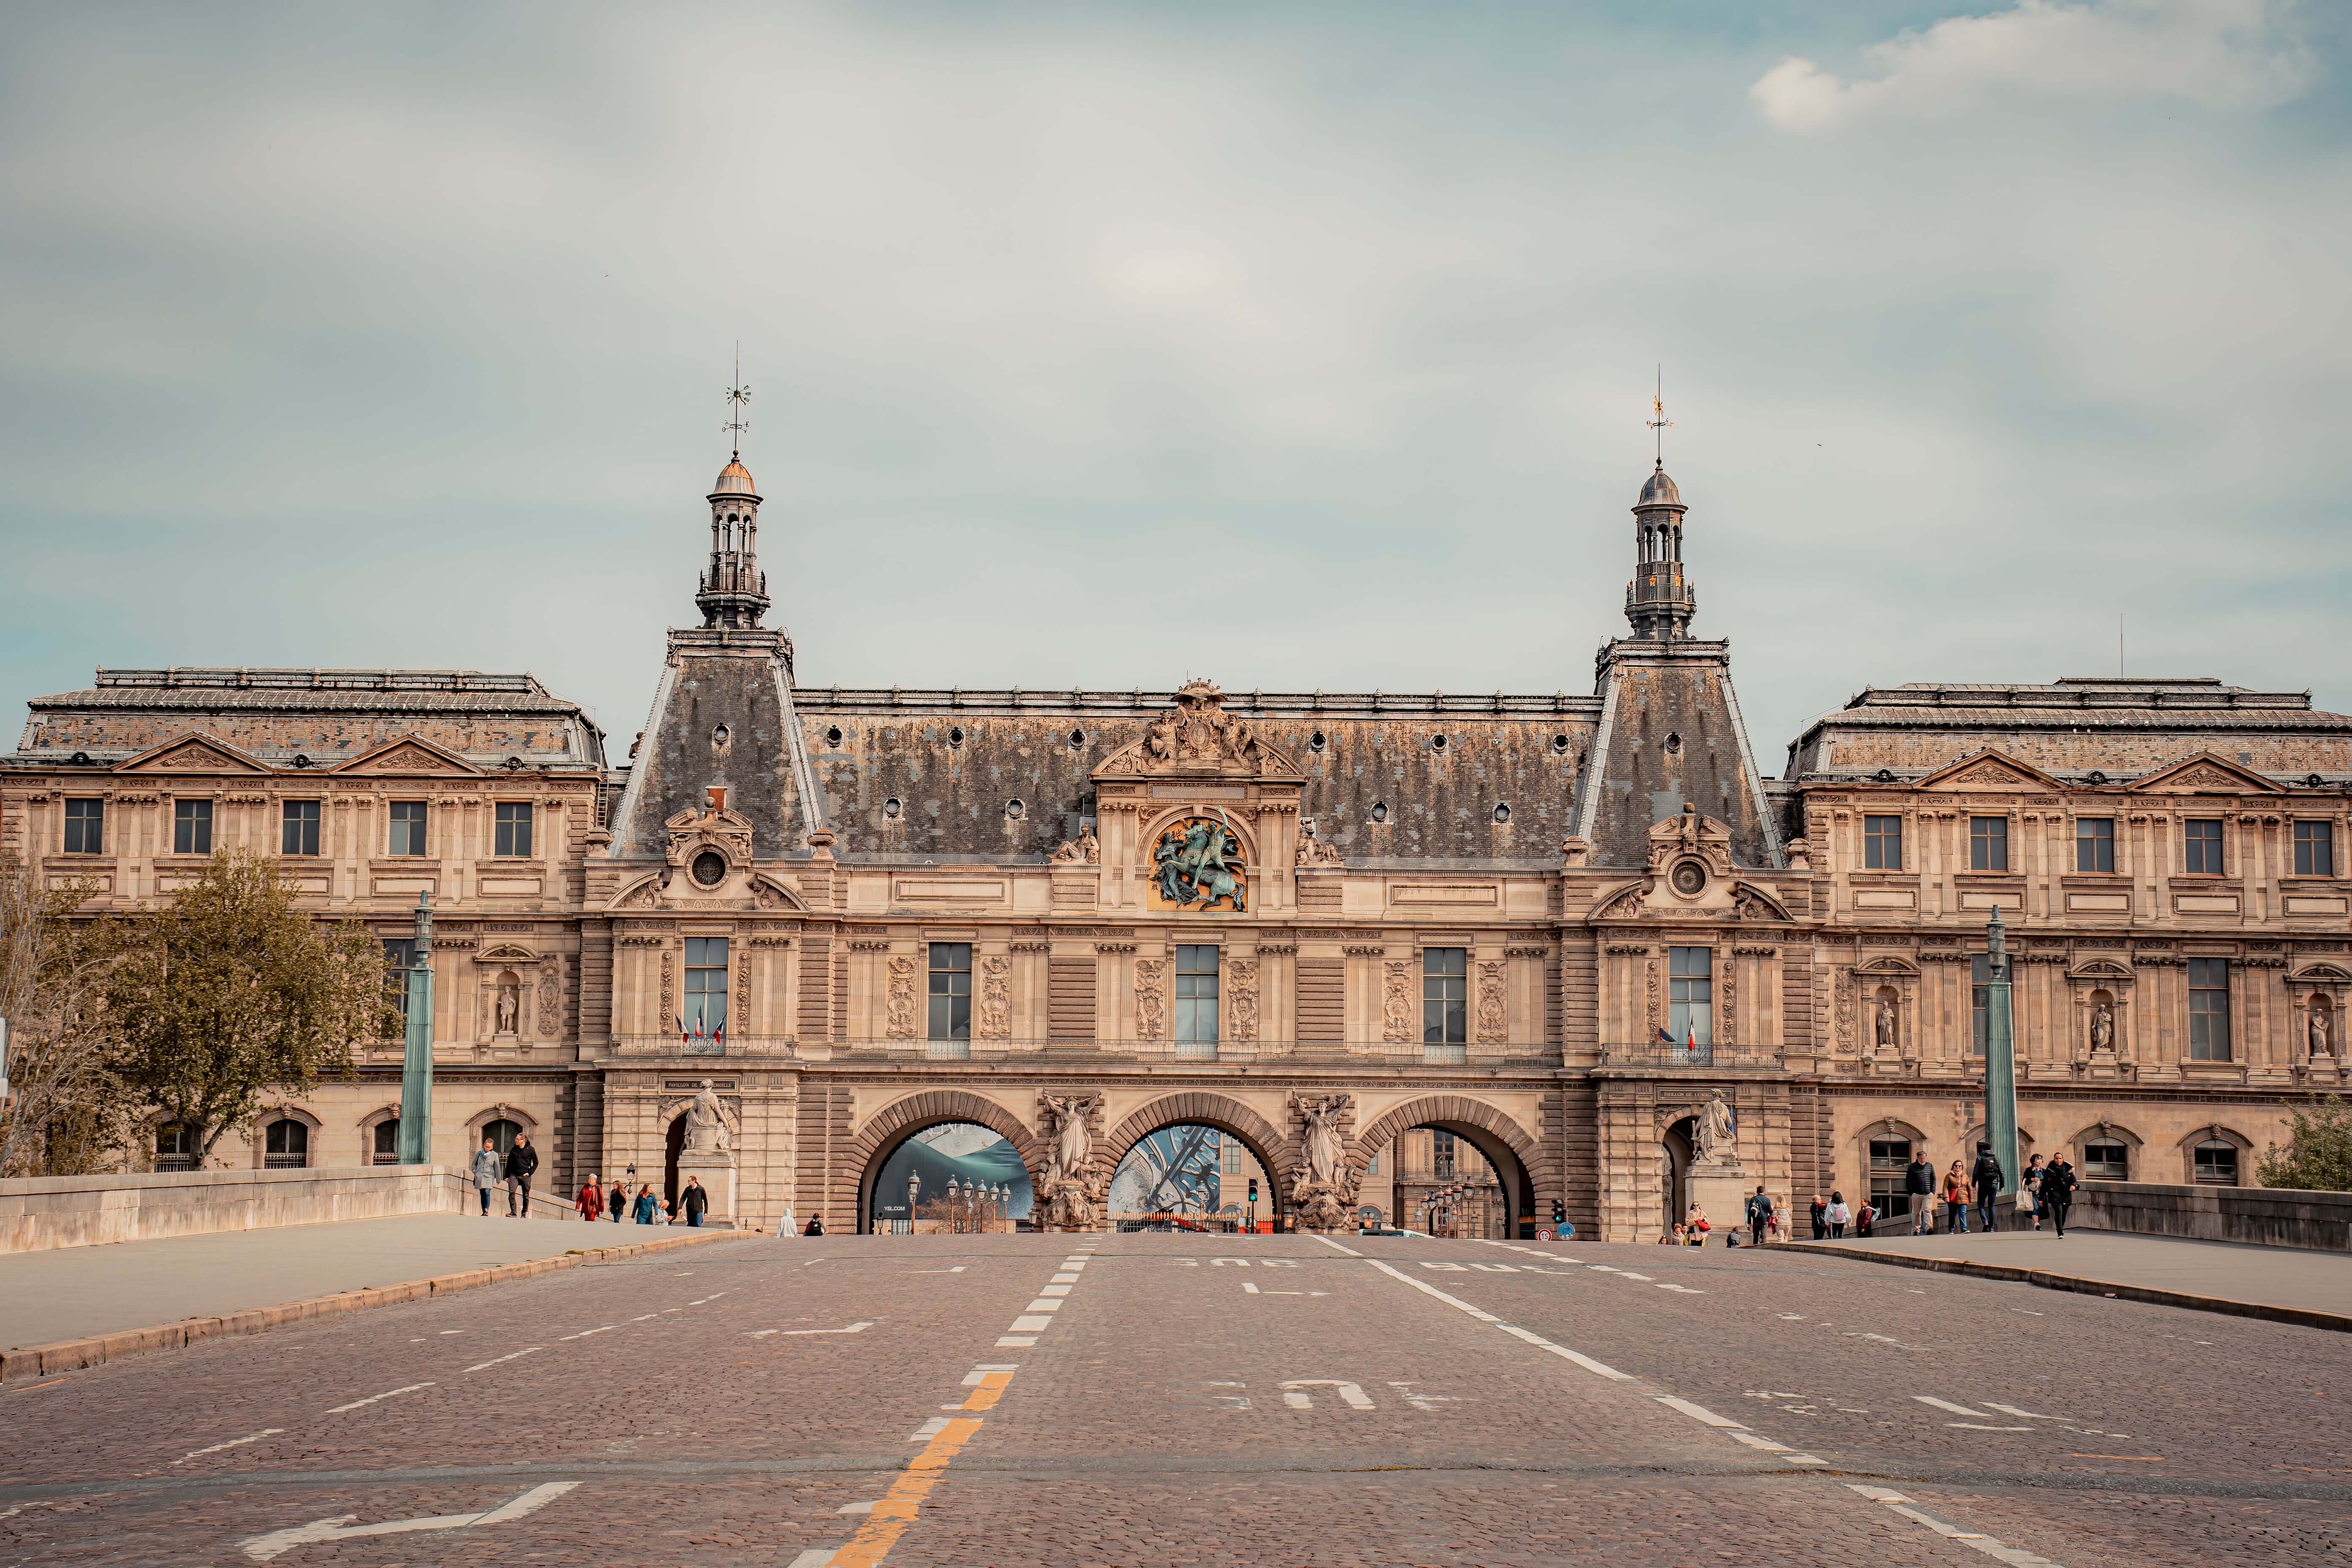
pixel 83 1292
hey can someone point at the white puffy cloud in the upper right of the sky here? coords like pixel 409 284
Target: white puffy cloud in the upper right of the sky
pixel 2210 53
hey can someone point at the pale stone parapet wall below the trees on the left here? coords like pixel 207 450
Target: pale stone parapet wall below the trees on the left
pixel 48 1212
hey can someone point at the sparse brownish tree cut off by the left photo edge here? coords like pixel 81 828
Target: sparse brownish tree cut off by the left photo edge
pixel 67 1113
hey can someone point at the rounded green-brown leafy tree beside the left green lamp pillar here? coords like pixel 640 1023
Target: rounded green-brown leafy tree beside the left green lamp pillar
pixel 232 993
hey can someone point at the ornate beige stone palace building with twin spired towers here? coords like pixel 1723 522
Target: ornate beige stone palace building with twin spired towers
pixel 1466 913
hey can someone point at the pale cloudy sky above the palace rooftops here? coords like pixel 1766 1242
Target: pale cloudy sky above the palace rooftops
pixel 1295 347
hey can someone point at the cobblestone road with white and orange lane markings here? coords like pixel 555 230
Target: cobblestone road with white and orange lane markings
pixel 1165 1400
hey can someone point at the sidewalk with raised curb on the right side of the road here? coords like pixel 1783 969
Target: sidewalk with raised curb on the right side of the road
pixel 2280 1278
